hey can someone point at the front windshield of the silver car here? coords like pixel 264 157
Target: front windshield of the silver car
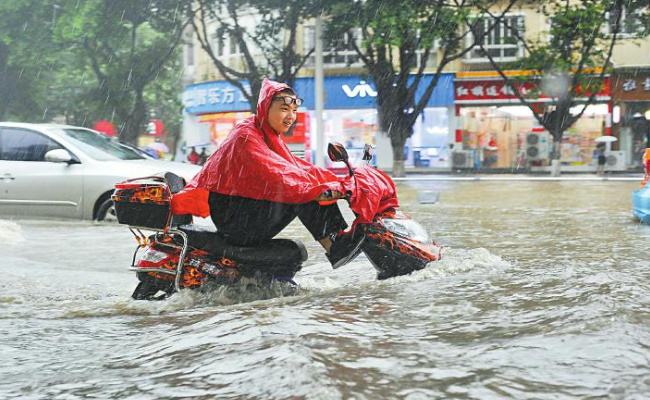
pixel 99 146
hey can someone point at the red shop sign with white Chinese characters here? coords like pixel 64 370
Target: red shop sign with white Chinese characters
pixel 491 91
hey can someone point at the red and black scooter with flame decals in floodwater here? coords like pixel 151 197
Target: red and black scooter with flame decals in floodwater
pixel 181 255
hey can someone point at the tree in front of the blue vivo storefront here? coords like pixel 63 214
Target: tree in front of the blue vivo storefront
pixel 393 35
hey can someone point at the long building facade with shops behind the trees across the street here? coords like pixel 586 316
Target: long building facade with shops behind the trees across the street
pixel 472 121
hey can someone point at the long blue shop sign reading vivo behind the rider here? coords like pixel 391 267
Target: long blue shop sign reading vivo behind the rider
pixel 341 92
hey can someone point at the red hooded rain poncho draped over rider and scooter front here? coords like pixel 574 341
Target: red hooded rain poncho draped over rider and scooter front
pixel 254 162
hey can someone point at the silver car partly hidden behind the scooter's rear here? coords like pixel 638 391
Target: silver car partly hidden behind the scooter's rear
pixel 62 171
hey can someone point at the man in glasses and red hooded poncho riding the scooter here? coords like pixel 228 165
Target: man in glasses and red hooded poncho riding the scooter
pixel 255 187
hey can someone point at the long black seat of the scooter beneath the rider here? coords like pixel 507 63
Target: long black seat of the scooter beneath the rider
pixel 282 253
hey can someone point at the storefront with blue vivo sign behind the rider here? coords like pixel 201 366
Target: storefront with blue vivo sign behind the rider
pixel 212 109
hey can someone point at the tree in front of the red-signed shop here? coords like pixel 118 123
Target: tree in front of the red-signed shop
pixel 570 64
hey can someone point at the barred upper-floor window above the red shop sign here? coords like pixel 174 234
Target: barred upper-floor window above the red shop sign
pixel 501 43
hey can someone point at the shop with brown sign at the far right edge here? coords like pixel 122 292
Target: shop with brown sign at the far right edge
pixel 631 113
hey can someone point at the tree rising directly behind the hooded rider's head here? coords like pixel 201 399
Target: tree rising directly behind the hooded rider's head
pixel 263 33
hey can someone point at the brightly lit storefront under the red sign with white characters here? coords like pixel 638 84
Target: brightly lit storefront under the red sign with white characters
pixel 496 131
